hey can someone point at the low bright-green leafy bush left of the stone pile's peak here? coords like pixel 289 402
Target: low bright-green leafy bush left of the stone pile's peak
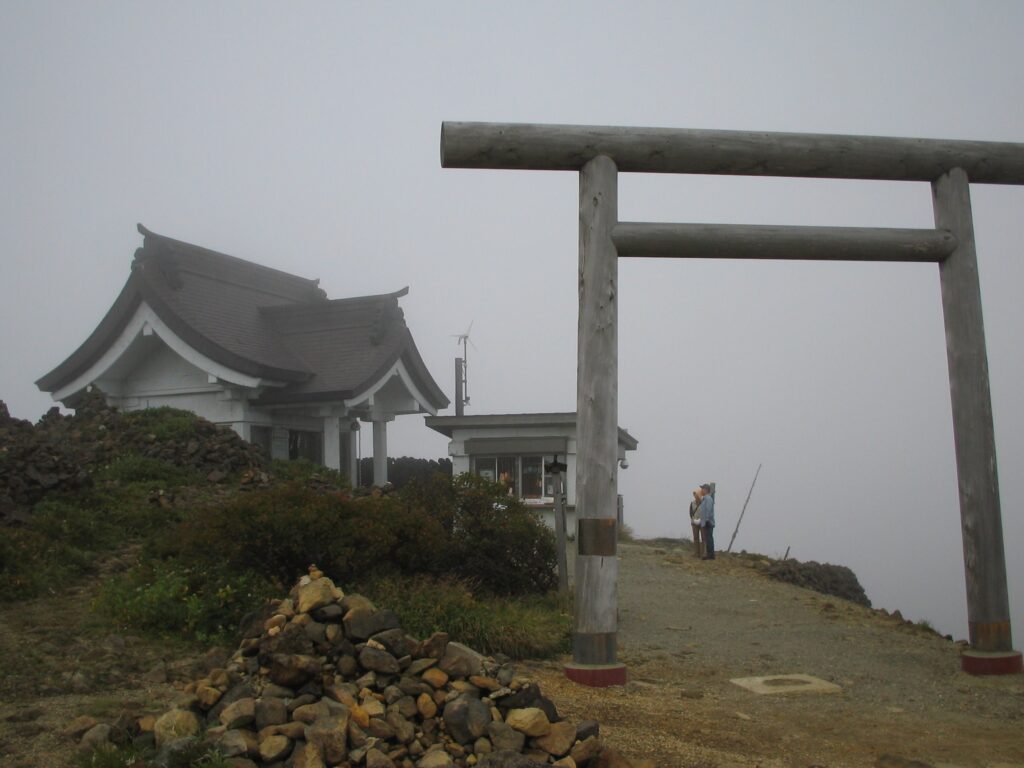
pixel 205 603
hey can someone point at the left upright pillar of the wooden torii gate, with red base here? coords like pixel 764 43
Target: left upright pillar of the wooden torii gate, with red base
pixel 596 624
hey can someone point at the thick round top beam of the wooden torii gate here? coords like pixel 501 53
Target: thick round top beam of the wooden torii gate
pixel 569 148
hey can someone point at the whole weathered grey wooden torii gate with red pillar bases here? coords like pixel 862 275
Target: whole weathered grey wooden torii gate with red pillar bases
pixel 600 153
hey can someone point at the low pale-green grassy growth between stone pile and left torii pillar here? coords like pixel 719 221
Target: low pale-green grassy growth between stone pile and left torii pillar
pixel 521 628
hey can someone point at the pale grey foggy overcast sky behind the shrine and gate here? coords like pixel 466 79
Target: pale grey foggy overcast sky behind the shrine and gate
pixel 305 137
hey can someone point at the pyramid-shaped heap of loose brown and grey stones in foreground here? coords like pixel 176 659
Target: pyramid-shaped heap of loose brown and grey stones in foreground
pixel 329 680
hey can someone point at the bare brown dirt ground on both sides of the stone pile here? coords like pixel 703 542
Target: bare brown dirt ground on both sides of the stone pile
pixel 687 629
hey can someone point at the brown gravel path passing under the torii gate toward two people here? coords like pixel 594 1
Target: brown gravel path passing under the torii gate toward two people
pixel 689 627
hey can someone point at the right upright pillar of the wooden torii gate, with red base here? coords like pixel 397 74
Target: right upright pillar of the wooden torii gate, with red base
pixel 974 437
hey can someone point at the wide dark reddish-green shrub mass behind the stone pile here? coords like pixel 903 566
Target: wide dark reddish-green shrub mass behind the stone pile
pixel 466 528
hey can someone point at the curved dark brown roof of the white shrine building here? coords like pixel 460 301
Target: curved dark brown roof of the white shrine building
pixel 260 322
